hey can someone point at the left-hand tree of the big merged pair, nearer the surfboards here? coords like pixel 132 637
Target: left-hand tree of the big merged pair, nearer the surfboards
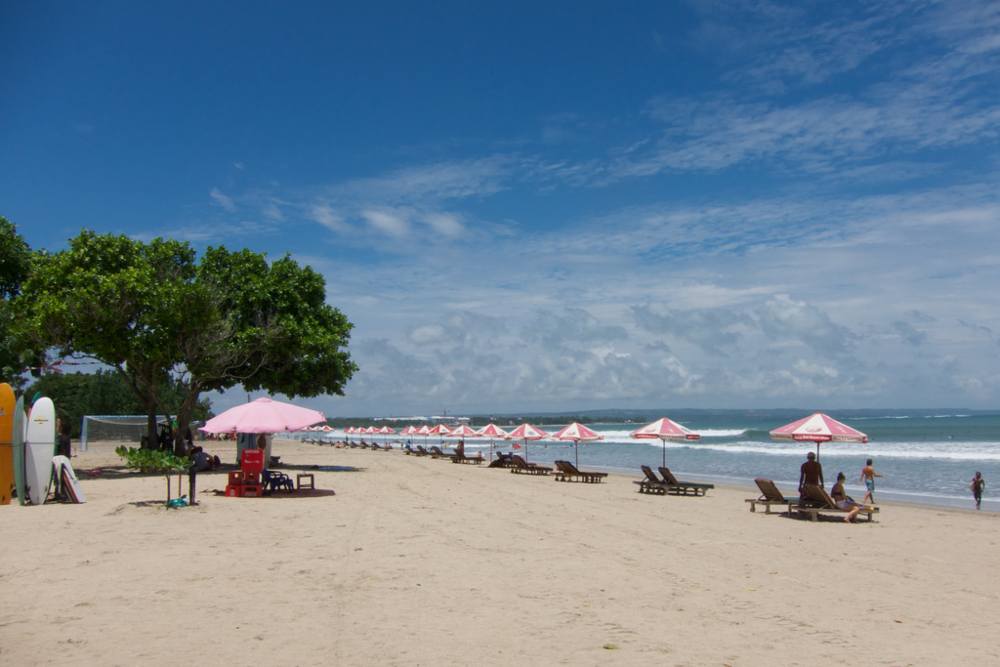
pixel 118 300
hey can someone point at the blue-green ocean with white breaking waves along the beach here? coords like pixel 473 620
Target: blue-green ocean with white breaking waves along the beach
pixel 925 456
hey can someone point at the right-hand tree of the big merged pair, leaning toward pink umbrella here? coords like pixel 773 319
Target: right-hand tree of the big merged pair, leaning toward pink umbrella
pixel 266 326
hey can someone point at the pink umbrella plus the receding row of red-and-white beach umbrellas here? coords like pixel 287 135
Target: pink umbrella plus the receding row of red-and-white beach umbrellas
pixel 265 415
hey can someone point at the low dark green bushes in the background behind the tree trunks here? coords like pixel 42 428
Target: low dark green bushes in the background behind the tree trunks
pixel 107 393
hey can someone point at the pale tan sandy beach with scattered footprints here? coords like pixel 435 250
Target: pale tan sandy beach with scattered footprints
pixel 422 562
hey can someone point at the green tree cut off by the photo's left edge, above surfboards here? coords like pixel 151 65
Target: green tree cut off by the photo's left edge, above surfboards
pixel 15 265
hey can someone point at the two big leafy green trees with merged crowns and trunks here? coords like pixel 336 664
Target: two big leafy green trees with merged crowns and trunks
pixel 152 312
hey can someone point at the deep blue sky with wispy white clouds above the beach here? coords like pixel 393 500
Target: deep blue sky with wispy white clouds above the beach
pixel 552 206
